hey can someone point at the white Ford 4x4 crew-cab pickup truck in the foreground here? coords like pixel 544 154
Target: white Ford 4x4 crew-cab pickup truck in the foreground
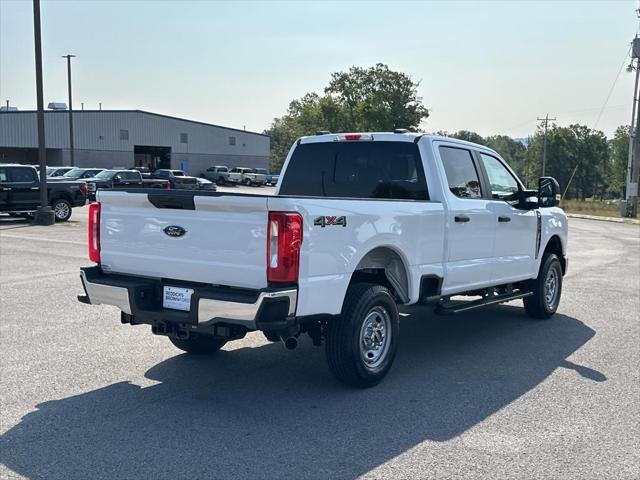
pixel 360 224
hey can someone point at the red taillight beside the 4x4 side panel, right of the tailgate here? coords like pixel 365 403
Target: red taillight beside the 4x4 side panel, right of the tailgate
pixel 283 247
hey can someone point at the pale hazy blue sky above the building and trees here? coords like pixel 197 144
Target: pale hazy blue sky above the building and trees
pixel 491 67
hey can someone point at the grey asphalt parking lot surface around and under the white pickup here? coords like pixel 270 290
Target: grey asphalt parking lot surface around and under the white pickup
pixel 488 394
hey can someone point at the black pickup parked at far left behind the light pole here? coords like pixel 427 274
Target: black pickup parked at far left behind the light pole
pixel 20 192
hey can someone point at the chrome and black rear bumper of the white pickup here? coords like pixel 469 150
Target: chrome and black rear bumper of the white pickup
pixel 142 297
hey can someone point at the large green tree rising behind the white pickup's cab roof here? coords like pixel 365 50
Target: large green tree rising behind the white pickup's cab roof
pixel 362 99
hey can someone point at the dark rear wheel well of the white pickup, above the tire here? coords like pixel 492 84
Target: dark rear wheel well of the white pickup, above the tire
pixel 384 266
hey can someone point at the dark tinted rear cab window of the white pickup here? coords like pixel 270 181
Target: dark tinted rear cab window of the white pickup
pixel 385 170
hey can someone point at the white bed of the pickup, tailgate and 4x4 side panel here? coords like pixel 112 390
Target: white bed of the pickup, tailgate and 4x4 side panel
pixel 225 239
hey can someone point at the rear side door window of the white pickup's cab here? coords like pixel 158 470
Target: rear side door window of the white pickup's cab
pixel 462 176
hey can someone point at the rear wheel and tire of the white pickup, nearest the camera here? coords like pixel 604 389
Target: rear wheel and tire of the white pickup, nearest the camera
pixel 361 343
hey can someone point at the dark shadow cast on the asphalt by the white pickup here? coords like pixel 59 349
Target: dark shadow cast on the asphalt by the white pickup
pixel 266 413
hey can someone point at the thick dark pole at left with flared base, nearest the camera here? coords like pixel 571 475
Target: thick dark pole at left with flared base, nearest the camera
pixel 44 215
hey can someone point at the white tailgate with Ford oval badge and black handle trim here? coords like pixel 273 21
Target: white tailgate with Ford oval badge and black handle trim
pixel 219 240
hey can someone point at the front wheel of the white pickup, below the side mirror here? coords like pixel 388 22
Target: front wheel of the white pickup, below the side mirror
pixel 547 289
